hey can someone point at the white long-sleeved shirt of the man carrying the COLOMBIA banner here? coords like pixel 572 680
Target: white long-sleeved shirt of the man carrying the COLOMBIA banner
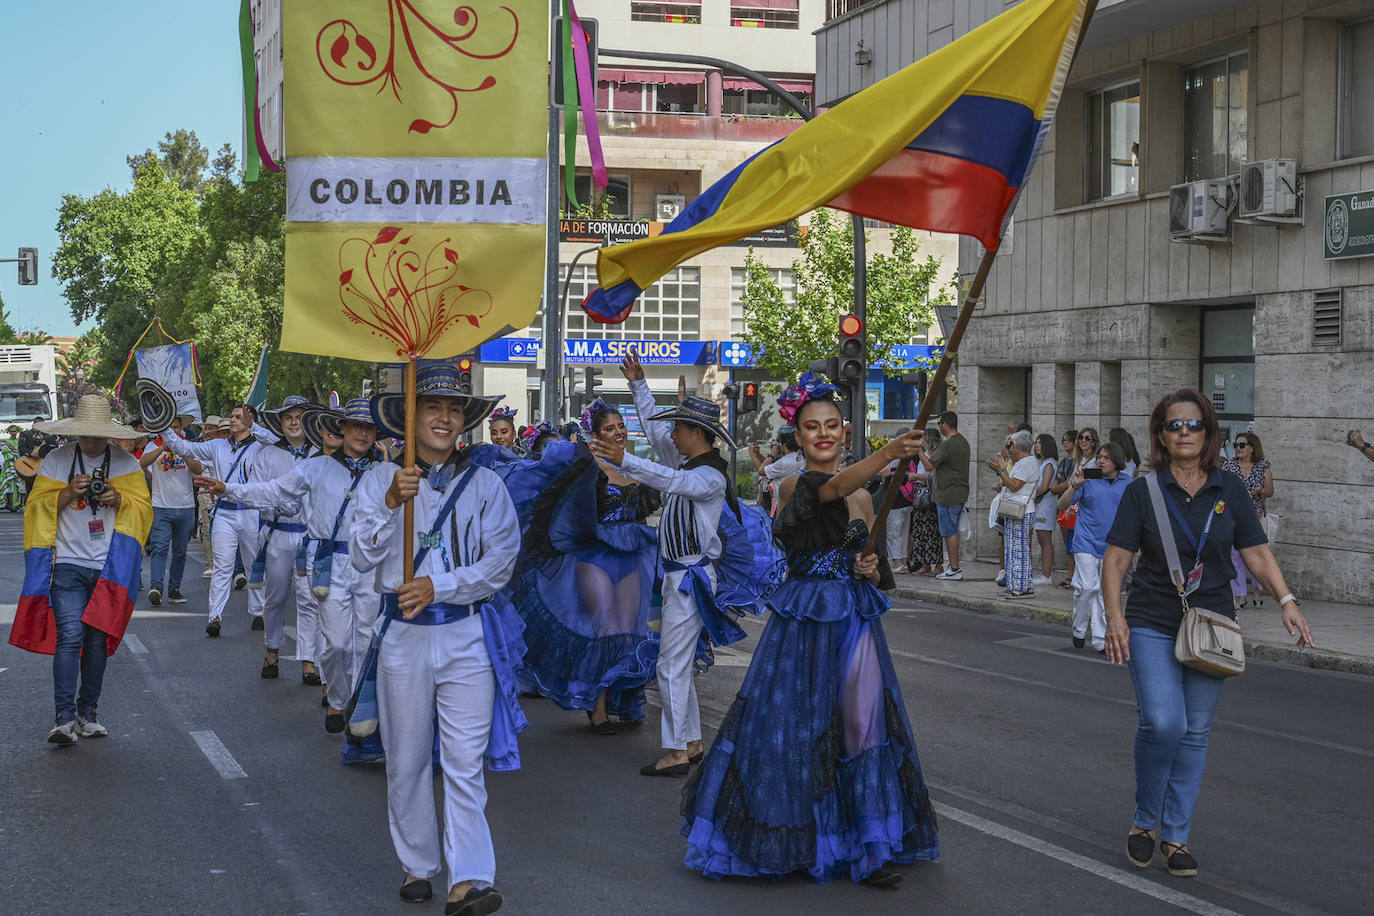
pixel 466 569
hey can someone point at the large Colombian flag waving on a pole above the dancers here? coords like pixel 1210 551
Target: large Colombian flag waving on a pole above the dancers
pixel 945 145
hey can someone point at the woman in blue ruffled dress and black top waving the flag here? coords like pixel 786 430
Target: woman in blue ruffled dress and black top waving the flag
pixel 815 768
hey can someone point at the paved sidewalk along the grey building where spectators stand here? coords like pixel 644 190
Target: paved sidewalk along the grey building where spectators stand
pixel 1344 634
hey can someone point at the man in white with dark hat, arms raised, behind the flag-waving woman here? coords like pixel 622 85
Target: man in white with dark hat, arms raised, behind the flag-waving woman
pixel 696 484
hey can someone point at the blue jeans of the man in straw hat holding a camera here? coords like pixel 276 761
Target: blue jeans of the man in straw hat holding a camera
pixel 80 648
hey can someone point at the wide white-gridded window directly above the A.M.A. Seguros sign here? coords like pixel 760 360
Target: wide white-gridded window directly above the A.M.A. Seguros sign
pixel 667 311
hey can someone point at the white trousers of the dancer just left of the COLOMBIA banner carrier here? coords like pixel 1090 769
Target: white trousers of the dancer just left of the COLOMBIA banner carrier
pixel 348 616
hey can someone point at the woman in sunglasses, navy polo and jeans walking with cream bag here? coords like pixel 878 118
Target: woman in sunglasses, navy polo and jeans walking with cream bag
pixel 1210 513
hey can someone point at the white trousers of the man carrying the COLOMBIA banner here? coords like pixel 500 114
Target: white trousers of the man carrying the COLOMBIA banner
pixel 424 671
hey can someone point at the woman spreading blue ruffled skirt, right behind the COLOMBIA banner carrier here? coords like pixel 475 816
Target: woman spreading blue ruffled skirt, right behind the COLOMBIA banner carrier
pixel 586 575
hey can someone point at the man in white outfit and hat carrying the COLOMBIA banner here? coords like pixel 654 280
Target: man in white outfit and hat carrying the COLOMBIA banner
pixel 449 653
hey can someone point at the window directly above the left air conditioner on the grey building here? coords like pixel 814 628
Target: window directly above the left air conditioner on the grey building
pixel 1215 124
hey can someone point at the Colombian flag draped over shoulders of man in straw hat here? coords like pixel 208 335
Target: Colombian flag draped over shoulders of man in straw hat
pixel 112 602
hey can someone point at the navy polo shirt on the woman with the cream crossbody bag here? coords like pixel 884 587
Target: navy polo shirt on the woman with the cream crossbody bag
pixel 1155 601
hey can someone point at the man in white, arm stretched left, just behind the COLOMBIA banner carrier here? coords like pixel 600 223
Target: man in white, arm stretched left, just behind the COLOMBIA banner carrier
pixel 328 488
